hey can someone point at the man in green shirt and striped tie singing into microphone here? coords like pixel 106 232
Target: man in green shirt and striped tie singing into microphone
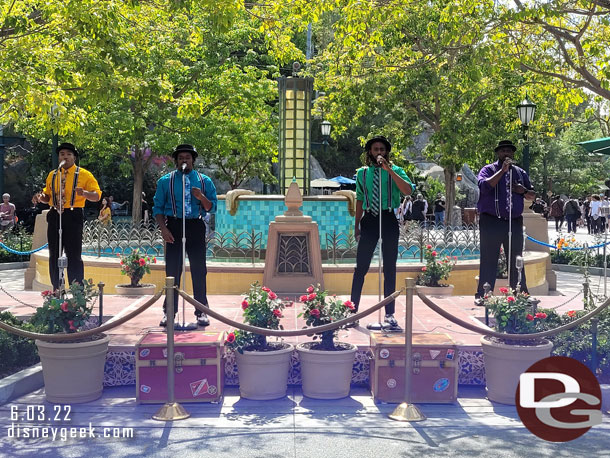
pixel 370 207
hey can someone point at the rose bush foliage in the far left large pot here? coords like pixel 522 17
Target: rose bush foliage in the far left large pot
pixel 68 313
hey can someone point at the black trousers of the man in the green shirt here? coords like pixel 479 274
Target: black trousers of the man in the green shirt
pixel 369 235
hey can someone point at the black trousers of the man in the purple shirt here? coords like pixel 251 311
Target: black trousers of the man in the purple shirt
pixel 494 233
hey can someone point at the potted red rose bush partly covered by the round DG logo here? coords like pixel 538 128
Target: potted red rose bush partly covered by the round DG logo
pixel 505 359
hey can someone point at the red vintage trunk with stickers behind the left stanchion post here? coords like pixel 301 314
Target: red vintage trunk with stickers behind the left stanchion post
pixel 199 363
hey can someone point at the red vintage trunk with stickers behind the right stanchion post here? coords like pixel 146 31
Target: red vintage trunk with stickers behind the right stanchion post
pixel 435 368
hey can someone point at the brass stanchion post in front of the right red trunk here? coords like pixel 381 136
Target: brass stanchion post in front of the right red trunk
pixel 407 411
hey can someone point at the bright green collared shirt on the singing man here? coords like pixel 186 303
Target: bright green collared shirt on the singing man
pixel 390 193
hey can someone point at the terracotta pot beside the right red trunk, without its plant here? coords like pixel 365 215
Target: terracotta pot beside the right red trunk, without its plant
pixel 326 374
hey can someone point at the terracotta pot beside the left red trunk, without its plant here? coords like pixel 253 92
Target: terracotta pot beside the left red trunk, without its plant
pixel 263 375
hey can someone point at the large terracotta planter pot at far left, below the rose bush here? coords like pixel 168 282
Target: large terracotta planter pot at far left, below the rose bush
pixel 62 361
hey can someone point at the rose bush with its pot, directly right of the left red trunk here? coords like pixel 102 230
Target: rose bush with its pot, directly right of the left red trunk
pixel 262 366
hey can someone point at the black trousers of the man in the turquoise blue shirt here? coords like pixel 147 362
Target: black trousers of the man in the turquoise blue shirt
pixel 195 249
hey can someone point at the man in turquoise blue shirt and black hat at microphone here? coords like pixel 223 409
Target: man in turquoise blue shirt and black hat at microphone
pixel 199 200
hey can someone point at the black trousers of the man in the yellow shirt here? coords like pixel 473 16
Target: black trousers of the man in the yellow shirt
pixel 72 244
